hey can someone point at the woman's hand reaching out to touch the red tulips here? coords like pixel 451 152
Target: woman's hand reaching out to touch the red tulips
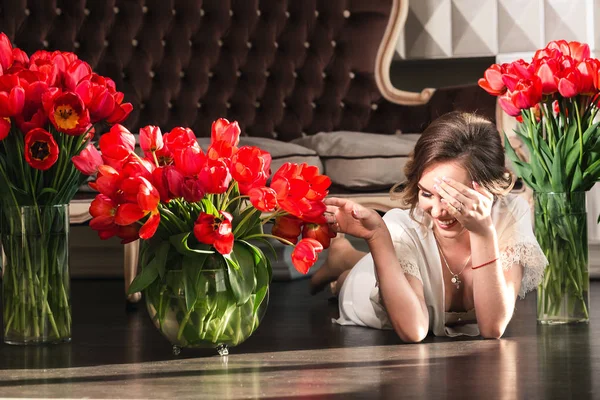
pixel 346 216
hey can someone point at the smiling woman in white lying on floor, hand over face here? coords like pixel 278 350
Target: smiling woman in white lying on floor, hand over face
pixel 455 260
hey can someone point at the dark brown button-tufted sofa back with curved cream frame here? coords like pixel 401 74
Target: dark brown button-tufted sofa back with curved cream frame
pixel 284 69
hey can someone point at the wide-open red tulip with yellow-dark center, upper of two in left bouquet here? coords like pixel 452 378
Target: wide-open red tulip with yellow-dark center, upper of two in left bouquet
pixel 68 113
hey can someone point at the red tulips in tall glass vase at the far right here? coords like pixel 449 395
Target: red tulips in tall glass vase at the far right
pixel 555 99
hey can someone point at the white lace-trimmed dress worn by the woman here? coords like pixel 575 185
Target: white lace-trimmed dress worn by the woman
pixel 414 242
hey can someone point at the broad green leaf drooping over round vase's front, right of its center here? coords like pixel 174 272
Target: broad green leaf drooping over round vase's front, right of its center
pixel 240 268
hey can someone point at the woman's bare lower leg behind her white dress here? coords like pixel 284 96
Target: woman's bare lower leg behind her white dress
pixel 341 257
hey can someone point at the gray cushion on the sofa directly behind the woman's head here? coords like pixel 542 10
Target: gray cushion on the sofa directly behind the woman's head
pixel 362 161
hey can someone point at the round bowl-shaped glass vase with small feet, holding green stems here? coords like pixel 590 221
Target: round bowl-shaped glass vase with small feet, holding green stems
pixel 214 319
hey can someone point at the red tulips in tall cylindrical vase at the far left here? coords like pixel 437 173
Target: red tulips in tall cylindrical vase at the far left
pixel 49 103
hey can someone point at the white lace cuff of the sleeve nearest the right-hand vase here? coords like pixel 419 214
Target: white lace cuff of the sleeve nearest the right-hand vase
pixel 531 258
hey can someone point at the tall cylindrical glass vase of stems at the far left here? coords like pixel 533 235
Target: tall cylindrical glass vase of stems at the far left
pixel 35 274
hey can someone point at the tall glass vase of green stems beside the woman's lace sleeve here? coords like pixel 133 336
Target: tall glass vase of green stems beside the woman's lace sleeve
pixel 561 230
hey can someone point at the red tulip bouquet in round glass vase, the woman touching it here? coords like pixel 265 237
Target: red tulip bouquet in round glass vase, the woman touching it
pixel 198 213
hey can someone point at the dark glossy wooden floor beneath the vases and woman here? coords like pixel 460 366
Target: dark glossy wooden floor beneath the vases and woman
pixel 298 353
